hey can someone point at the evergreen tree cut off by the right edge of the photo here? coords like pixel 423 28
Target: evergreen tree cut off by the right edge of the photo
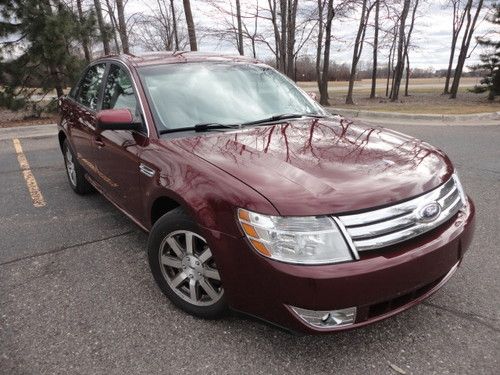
pixel 490 60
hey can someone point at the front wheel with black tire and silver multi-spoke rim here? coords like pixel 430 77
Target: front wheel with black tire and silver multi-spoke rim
pixel 187 275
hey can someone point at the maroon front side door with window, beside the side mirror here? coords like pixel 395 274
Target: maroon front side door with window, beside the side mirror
pixel 116 152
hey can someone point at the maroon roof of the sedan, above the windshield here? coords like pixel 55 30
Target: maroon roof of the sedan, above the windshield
pixel 170 57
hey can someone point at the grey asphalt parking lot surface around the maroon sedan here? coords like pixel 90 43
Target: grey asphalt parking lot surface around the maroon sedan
pixel 77 297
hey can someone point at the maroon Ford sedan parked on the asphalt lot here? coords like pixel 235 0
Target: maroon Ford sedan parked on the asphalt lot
pixel 256 198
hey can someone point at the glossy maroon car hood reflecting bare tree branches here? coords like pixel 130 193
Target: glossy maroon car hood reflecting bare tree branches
pixel 324 166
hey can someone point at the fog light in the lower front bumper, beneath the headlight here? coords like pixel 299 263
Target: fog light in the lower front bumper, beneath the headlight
pixel 326 319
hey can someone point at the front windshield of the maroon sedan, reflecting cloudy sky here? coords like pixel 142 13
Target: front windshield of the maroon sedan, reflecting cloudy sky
pixel 184 95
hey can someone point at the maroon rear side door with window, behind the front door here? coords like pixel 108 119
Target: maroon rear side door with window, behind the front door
pixel 84 102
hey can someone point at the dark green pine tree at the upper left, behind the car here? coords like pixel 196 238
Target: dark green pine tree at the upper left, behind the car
pixel 40 48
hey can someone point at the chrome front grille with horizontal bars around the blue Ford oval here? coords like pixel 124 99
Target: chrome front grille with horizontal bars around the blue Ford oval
pixel 400 222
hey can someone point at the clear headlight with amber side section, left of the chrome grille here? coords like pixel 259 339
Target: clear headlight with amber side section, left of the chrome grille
pixel 304 240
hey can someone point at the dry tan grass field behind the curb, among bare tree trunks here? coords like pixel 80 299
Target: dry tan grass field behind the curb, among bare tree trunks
pixel 424 97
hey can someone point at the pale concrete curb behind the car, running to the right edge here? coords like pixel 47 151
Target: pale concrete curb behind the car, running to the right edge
pixel 488 116
